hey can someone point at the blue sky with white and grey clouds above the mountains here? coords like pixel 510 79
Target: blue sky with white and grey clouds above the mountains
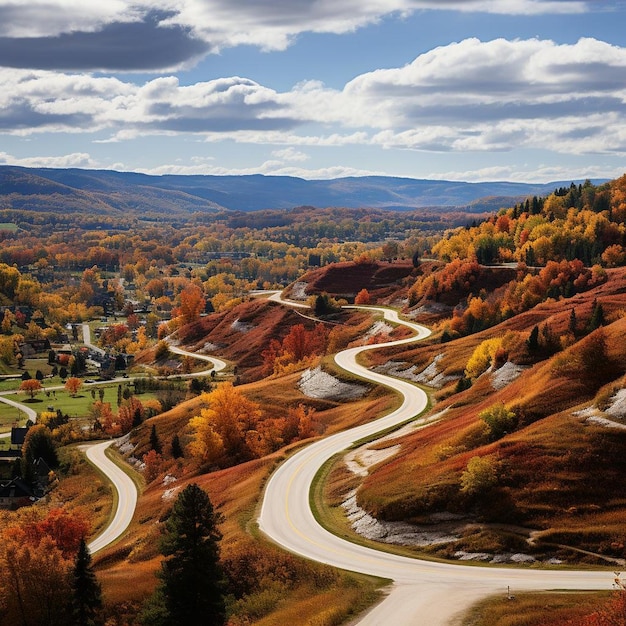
pixel 473 90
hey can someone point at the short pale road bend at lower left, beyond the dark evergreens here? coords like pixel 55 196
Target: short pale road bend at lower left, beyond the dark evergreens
pixel 126 494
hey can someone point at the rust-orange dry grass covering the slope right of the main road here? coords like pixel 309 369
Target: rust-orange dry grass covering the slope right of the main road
pixel 558 474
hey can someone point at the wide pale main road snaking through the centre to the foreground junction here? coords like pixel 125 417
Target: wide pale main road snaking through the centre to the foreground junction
pixel 424 592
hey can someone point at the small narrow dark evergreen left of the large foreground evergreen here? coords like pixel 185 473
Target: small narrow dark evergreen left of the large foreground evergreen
pixel 86 591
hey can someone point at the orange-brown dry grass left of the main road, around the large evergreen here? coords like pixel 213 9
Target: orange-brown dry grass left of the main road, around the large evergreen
pixel 127 569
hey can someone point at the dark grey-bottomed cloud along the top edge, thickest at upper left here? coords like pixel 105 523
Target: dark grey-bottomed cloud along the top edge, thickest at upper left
pixel 136 35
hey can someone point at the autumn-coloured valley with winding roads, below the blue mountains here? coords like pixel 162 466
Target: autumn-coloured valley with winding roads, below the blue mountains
pixel 516 383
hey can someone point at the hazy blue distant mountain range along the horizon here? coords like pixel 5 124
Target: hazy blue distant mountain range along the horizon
pixel 108 192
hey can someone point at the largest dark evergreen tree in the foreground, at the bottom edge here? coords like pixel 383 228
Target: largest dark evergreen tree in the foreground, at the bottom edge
pixel 192 582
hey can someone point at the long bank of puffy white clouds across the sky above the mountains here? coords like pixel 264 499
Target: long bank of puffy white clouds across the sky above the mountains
pixel 467 96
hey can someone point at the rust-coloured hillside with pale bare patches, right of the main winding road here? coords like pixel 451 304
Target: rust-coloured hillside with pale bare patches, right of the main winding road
pixel 559 466
